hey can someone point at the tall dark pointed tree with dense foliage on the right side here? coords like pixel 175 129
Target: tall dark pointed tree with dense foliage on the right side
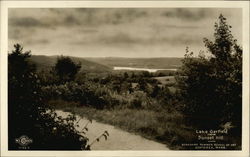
pixel 211 84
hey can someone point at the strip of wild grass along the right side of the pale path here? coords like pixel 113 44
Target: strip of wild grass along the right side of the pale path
pixel 166 128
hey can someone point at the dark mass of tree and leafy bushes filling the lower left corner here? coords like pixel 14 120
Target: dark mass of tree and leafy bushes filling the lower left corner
pixel 29 115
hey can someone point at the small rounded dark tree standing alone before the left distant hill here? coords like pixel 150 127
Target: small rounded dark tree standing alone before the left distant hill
pixel 66 69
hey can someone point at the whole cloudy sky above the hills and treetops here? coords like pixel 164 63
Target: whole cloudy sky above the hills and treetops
pixel 117 32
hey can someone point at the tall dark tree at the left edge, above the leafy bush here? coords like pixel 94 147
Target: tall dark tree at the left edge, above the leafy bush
pixel 22 94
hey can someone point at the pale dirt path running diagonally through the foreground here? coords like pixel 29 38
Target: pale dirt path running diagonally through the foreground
pixel 118 139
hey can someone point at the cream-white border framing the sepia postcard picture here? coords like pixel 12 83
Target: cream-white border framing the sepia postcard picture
pixel 124 4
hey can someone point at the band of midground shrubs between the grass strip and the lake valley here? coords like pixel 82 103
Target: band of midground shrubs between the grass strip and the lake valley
pixel 111 94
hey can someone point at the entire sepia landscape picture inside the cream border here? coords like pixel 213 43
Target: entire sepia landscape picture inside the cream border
pixel 125 78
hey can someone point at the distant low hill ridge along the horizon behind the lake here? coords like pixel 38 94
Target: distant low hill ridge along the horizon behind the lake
pixel 105 64
